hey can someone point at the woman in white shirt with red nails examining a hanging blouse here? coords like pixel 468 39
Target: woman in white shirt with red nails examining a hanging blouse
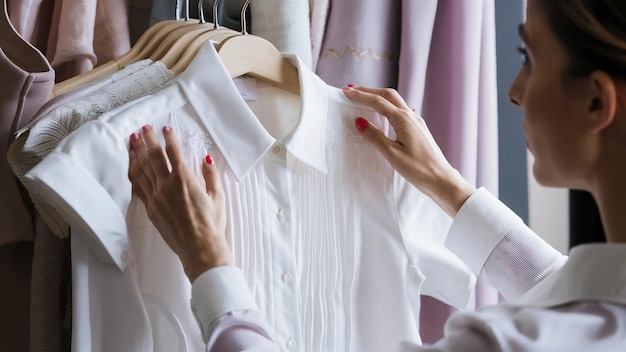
pixel 572 88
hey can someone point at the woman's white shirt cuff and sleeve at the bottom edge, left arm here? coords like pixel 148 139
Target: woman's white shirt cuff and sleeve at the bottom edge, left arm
pixel 227 314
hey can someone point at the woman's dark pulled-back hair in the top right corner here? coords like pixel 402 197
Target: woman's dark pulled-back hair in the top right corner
pixel 593 33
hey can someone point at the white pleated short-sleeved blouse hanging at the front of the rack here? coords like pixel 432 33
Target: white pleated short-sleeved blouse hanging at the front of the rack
pixel 335 246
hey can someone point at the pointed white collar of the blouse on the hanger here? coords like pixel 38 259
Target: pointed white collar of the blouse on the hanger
pixel 237 132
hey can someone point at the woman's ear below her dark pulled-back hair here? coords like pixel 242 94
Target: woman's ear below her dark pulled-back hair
pixel 603 101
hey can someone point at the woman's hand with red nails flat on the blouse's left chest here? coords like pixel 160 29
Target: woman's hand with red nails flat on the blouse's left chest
pixel 190 218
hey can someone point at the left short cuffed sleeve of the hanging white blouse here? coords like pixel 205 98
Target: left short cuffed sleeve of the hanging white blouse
pixel 72 182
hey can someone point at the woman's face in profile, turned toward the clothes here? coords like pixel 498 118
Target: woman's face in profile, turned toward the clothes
pixel 553 112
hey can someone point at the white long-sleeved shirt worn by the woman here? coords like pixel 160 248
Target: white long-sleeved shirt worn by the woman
pixel 567 304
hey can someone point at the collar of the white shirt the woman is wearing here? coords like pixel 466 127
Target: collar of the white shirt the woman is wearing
pixel 592 272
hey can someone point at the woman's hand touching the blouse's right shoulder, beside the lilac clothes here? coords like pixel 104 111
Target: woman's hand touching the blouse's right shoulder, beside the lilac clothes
pixel 414 153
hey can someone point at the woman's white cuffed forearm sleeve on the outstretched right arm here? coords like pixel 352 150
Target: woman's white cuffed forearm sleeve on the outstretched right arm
pixel 493 240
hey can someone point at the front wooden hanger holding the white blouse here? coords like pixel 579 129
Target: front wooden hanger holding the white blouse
pixel 246 54
